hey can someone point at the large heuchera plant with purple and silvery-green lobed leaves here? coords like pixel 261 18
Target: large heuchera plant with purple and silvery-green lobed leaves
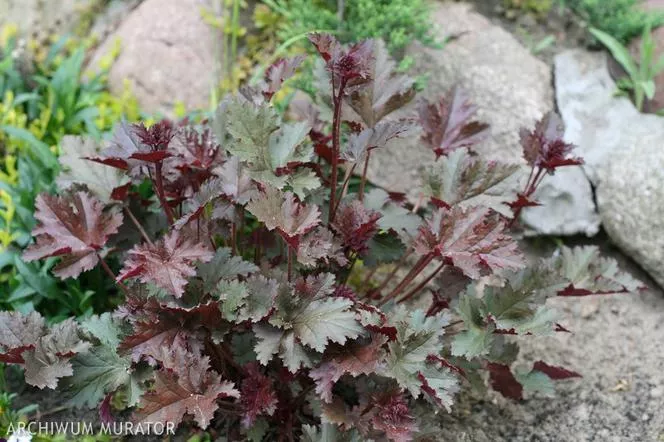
pixel 241 241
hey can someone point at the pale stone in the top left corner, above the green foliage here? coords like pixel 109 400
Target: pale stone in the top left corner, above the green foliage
pixel 41 18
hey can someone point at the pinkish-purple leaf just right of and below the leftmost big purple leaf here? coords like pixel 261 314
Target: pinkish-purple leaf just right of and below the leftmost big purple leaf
pixel 166 263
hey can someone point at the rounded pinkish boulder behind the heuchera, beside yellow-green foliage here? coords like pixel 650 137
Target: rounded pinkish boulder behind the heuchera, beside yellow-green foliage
pixel 167 55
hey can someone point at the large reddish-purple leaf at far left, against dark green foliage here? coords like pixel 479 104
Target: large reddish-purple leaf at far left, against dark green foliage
pixel 74 227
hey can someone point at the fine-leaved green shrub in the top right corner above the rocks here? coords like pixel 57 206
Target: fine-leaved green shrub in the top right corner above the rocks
pixel 622 19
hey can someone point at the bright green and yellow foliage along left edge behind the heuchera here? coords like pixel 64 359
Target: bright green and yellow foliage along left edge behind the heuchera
pixel 42 101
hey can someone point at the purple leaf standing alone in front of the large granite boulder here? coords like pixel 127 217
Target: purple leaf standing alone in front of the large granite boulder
pixel 448 124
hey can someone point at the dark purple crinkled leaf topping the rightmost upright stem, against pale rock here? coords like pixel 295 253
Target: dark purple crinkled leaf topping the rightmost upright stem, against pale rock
pixel 544 146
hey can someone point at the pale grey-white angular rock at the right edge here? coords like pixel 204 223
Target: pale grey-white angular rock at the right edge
pixel 623 155
